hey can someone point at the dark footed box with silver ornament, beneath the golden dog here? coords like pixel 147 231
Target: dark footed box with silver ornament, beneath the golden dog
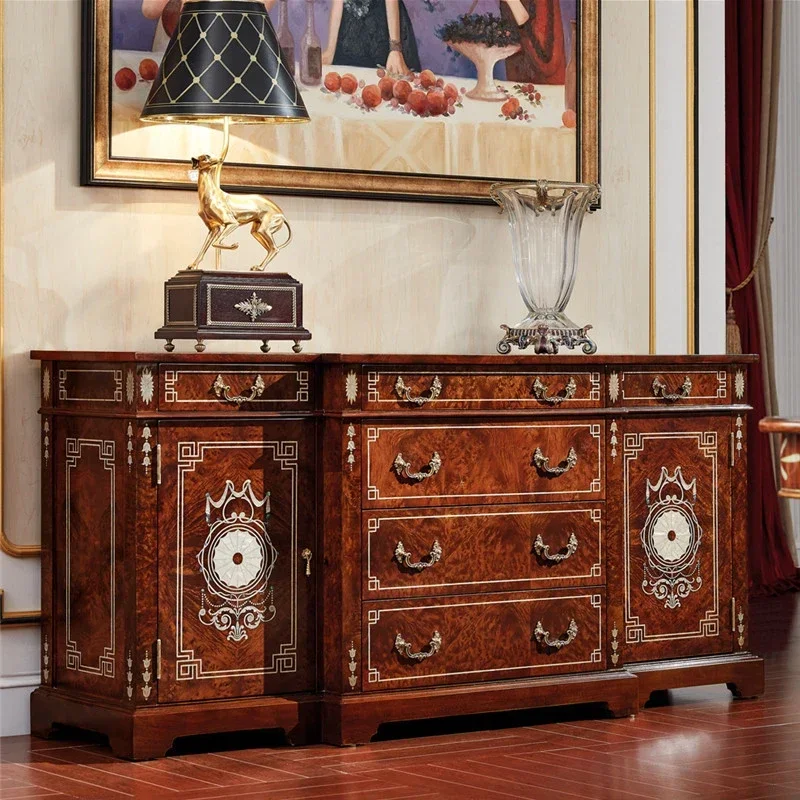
pixel 205 305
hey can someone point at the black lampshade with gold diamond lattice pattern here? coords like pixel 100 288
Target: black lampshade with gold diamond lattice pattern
pixel 224 61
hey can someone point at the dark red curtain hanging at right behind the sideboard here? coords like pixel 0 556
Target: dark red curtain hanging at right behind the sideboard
pixel 772 565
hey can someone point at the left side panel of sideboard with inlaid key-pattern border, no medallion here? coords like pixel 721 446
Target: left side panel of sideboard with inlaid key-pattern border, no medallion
pixel 89 517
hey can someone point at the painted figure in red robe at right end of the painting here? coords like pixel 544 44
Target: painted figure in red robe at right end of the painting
pixel 542 57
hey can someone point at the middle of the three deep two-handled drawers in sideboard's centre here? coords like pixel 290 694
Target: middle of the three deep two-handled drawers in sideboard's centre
pixel 480 549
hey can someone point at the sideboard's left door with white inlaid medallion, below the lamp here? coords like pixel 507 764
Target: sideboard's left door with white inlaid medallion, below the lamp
pixel 236 605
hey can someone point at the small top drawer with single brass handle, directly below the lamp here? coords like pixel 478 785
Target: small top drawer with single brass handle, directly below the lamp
pixel 185 387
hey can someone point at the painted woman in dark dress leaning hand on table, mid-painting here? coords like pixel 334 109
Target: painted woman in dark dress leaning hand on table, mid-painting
pixel 372 33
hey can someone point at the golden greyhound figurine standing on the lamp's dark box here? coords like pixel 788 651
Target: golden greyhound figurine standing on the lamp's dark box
pixel 223 213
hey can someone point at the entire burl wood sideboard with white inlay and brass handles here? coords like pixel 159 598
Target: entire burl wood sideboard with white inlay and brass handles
pixel 327 543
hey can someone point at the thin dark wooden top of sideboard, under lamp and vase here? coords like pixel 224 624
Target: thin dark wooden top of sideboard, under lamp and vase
pixel 387 358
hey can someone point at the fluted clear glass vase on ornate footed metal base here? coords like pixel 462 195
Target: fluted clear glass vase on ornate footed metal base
pixel 545 218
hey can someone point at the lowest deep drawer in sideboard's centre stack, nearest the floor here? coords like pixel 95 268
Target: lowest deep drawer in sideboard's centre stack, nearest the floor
pixel 481 637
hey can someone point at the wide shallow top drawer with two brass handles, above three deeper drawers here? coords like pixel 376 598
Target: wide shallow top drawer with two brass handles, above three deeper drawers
pixel 443 388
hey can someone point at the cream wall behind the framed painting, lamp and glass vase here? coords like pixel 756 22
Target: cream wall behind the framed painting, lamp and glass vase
pixel 84 267
